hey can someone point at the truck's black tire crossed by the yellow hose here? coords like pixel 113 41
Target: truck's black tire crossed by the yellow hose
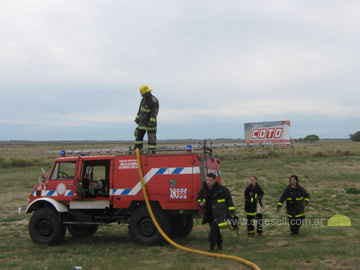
pixel 143 231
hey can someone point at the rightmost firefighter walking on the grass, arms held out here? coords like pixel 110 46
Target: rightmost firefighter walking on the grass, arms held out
pixel 296 198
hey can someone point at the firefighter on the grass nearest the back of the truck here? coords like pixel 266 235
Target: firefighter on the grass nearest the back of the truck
pixel 218 206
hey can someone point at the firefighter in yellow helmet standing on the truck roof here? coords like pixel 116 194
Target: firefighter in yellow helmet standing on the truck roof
pixel 146 119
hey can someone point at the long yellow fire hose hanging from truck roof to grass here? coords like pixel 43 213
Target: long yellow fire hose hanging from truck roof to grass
pixel 216 255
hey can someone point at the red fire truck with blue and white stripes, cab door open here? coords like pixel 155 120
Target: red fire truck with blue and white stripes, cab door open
pixel 83 192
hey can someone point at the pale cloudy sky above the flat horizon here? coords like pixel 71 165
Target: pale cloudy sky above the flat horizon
pixel 71 70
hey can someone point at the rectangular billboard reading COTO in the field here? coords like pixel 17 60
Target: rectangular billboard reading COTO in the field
pixel 275 132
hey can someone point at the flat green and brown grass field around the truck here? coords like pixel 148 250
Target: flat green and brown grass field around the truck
pixel 330 171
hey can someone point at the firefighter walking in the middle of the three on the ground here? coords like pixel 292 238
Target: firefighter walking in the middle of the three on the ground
pixel 253 196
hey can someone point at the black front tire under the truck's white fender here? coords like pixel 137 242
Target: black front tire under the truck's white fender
pixel 45 227
